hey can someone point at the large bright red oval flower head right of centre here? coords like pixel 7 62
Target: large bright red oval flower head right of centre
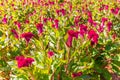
pixel 93 36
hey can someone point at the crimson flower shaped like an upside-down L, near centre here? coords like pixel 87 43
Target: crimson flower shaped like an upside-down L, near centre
pixel 71 35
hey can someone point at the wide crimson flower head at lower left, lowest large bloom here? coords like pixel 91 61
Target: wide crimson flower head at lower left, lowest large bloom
pixel 24 62
